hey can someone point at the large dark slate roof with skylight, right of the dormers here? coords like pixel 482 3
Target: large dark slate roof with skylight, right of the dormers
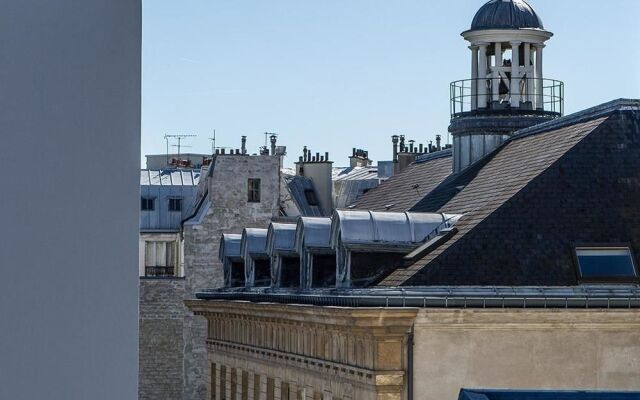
pixel 526 201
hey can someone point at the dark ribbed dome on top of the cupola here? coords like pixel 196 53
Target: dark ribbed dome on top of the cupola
pixel 506 14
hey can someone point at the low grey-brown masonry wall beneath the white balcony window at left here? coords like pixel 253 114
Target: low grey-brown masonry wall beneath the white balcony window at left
pixel 160 339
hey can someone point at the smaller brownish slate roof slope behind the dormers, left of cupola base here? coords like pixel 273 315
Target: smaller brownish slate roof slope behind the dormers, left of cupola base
pixel 400 193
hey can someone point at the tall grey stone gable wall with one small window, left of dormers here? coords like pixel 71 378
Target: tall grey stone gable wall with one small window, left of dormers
pixel 230 212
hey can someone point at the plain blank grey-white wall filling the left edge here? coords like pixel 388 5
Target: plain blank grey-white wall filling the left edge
pixel 70 98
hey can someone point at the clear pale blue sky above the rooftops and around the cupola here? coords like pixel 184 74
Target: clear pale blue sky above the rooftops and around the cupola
pixel 334 75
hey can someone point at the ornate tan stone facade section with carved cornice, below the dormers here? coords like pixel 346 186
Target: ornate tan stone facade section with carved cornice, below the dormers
pixel 272 351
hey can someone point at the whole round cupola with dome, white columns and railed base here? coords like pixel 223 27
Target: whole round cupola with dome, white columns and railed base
pixel 507 90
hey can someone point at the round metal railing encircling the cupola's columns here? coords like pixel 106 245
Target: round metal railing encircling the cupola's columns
pixel 534 95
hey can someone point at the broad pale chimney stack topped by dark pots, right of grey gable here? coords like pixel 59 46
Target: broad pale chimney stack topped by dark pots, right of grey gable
pixel 319 170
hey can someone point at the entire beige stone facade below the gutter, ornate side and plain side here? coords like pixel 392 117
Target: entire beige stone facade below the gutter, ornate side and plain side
pixel 274 351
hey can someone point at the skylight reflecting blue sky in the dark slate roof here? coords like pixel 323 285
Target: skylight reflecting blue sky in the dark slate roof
pixel 606 263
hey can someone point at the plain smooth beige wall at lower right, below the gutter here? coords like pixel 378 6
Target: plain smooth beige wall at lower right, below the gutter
pixel 525 349
